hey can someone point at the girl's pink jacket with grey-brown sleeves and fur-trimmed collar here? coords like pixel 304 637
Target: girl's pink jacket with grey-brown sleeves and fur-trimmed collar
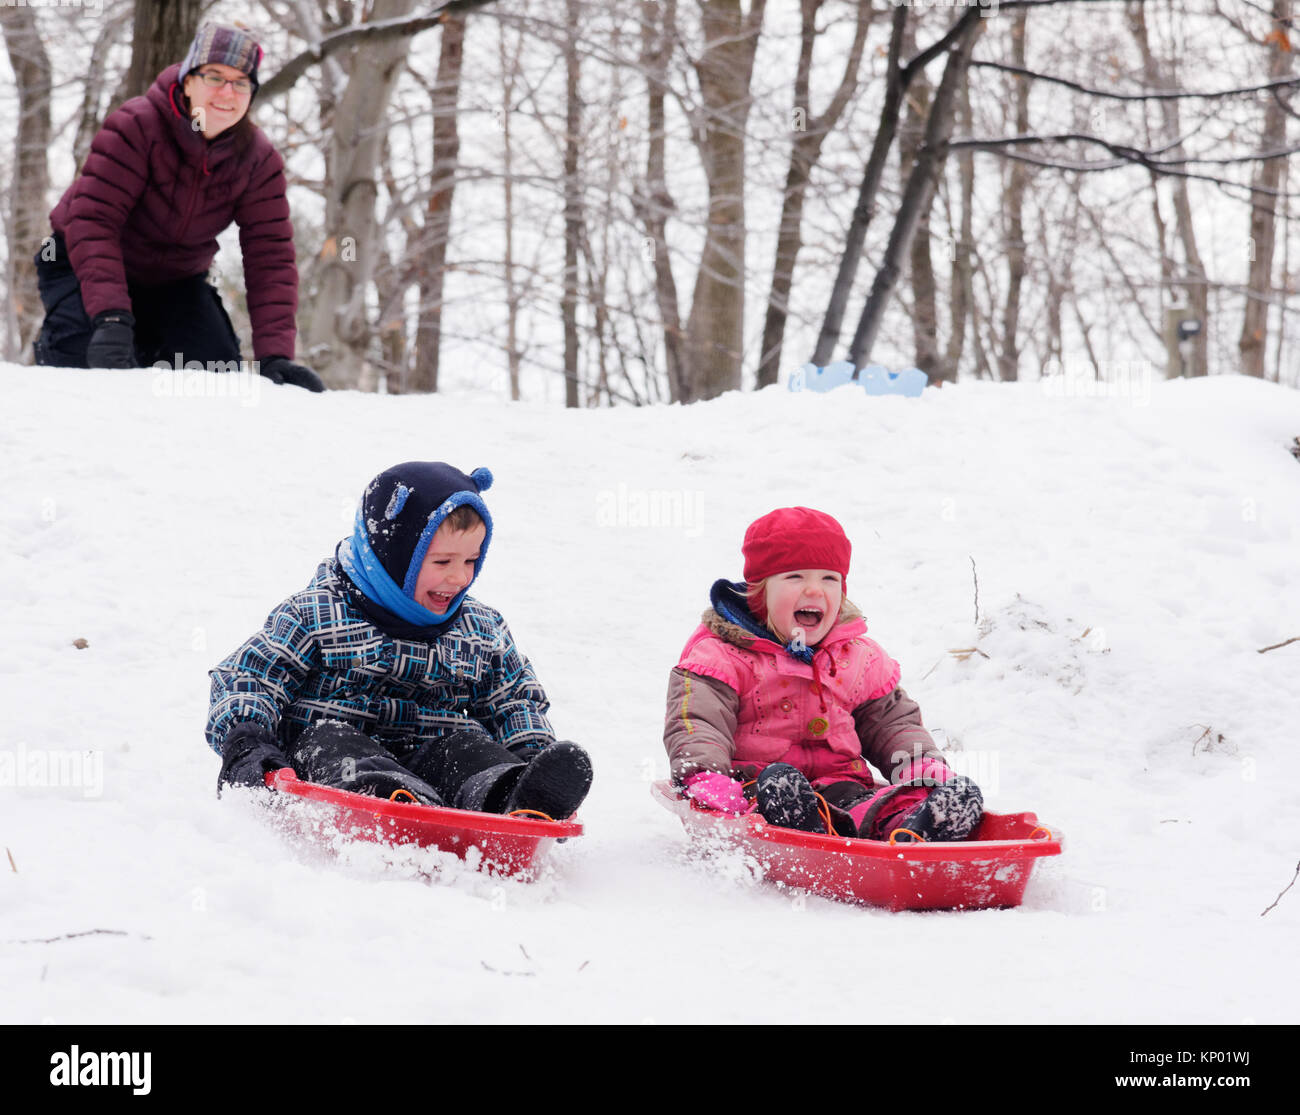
pixel 742 702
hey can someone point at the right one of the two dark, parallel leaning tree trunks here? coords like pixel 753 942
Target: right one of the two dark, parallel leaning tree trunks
pixel 918 192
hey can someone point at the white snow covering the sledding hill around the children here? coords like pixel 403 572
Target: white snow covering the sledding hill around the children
pixel 1133 556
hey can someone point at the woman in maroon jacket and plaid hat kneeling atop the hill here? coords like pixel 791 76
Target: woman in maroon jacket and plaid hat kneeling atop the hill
pixel 124 277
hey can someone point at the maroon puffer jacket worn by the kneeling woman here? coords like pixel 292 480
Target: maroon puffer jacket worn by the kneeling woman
pixel 153 198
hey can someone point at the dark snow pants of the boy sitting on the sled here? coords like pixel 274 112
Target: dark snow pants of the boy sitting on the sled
pixel 465 770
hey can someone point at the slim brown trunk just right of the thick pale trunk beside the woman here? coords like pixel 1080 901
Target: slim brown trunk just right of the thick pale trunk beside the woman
pixel 437 216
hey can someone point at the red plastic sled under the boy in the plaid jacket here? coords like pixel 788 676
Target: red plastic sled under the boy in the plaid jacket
pixel 510 845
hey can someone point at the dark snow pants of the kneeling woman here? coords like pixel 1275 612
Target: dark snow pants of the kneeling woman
pixel 176 323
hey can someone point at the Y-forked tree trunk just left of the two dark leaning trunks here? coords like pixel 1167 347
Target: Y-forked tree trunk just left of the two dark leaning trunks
pixel 809 136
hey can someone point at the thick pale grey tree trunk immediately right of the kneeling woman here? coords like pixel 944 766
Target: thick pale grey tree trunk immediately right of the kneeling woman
pixel 340 332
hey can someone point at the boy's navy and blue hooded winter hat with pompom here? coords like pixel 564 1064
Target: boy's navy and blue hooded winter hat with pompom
pixel 401 511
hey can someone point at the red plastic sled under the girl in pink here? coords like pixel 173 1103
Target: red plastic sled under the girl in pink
pixel 991 870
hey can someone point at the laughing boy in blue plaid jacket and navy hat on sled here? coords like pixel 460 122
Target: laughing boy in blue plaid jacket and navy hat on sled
pixel 384 676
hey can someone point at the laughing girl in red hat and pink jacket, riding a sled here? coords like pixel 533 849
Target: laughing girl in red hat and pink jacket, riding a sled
pixel 781 684
